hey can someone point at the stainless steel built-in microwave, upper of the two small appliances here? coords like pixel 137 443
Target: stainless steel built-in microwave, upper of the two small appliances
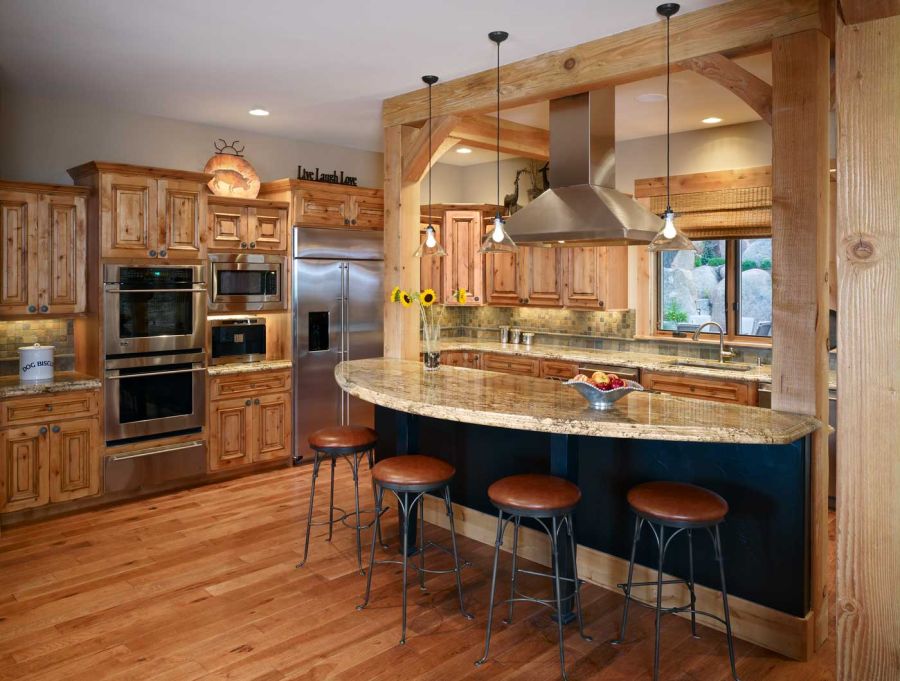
pixel 246 282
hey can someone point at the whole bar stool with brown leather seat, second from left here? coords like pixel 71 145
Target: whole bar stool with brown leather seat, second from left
pixel 410 477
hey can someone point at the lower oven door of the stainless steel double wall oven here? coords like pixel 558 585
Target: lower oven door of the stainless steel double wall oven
pixel 154 396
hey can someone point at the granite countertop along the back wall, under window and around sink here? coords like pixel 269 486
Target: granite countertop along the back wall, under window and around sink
pixel 640 360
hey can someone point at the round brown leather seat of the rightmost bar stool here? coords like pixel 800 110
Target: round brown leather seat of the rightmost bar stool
pixel 677 502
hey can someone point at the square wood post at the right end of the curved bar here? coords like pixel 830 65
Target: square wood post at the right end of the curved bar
pixel 800 186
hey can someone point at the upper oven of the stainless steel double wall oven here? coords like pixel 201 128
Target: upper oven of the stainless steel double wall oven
pixel 153 309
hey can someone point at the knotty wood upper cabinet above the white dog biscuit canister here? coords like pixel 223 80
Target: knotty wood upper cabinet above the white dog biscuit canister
pixel 42 249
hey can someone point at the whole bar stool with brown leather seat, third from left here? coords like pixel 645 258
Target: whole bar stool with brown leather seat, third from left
pixel 543 498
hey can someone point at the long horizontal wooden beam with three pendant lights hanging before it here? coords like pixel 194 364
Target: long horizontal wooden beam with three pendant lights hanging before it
pixel 731 28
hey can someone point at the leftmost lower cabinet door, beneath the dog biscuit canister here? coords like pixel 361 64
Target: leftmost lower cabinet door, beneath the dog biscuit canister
pixel 23 478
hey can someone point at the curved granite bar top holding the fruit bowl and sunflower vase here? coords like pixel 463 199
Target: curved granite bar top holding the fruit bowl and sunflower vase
pixel 506 401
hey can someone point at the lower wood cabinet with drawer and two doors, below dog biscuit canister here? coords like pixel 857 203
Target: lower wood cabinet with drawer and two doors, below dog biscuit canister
pixel 50 447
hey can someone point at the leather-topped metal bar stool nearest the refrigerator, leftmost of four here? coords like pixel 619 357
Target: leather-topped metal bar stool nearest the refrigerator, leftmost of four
pixel 352 443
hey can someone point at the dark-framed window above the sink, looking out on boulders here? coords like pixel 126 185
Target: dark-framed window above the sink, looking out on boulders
pixel 729 282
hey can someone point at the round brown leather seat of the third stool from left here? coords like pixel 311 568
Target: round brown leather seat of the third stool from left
pixel 532 494
